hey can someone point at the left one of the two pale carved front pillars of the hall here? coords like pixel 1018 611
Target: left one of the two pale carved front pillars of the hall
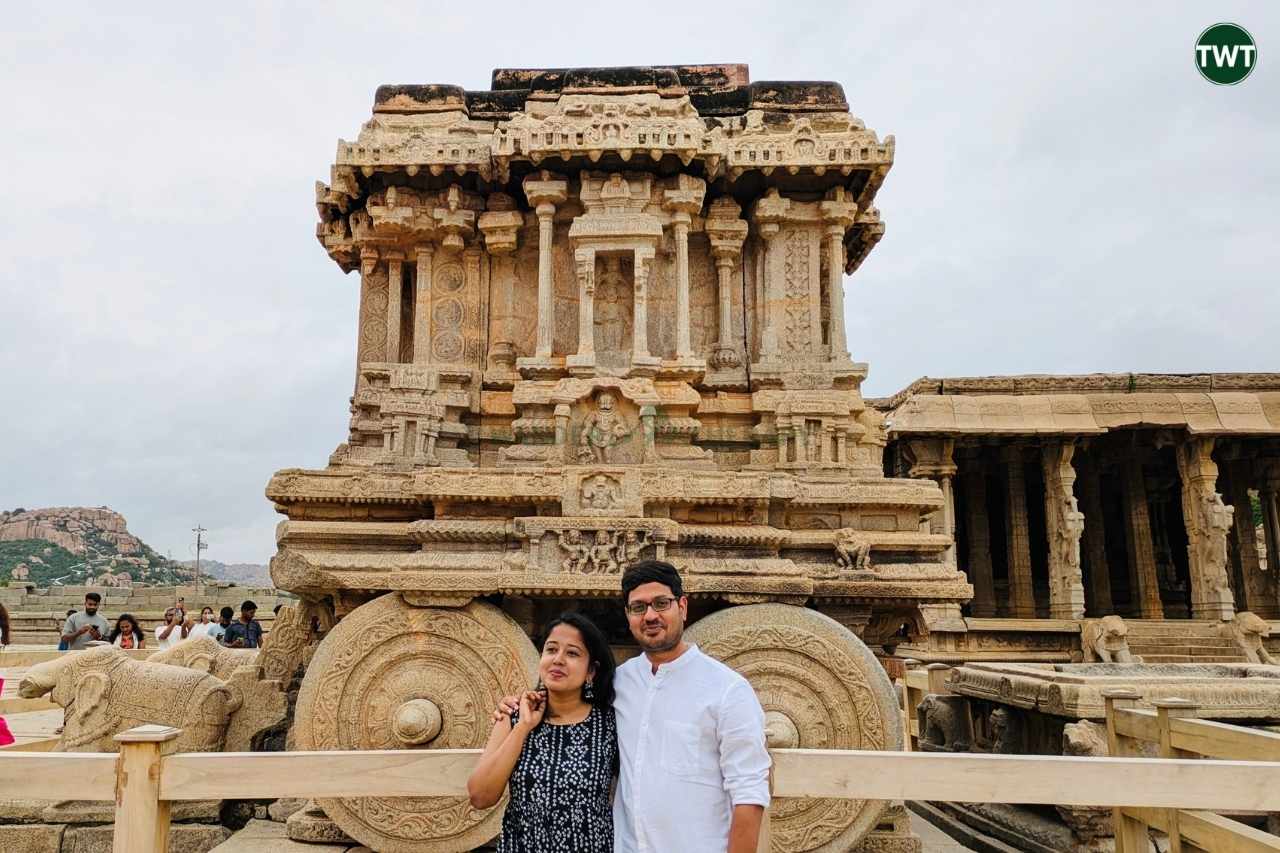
pixel 1064 524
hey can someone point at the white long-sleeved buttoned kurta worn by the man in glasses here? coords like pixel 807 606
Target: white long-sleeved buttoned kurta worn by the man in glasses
pixel 692 747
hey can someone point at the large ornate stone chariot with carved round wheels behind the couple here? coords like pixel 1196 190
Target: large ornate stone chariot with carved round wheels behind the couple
pixel 602 320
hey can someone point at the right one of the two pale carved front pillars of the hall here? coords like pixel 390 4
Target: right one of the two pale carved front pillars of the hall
pixel 1209 522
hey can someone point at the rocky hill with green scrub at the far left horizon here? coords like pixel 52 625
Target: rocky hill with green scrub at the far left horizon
pixel 75 546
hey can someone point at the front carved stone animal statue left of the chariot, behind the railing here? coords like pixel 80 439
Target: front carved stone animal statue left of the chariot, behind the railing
pixel 104 692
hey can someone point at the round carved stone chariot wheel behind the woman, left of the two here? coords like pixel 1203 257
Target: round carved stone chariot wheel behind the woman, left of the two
pixel 397 677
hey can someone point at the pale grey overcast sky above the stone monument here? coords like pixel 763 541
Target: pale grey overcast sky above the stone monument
pixel 1068 197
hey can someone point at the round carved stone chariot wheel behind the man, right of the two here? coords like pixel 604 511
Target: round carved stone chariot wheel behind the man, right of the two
pixel 821 690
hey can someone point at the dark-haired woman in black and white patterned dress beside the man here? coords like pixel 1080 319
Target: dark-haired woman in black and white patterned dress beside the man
pixel 559 752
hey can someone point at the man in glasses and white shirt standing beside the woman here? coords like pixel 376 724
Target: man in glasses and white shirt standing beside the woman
pixel 694 770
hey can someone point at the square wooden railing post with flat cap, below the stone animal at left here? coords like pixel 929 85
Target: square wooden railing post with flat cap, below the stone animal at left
pixel 141 816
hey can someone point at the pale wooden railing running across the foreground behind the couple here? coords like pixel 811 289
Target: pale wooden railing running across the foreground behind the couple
pixel 143 782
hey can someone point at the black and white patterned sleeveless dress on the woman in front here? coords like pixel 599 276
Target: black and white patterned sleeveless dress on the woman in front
pixel 560 790
